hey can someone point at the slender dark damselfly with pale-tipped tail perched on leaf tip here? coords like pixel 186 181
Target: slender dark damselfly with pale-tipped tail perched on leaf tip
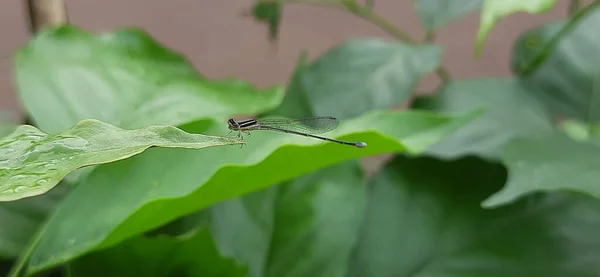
pixel 307 127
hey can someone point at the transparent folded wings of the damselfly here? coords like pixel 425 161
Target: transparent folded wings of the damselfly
pixel 313 125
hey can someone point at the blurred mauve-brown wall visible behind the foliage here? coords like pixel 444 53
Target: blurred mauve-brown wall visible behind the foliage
pixel 221 43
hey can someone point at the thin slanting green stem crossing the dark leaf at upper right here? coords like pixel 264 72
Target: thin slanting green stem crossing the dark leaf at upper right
pixel 536 61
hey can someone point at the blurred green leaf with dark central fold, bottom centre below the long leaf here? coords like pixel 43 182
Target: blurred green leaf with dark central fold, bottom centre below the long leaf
pixel 305 227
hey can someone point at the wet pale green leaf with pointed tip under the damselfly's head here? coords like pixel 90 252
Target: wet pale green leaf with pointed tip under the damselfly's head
pixel 33 162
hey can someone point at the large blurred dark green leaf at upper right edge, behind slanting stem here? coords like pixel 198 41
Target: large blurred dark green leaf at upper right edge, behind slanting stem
pixel 566 80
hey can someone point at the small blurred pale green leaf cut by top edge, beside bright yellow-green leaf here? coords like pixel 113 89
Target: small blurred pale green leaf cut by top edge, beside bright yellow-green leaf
pixel 436 13
